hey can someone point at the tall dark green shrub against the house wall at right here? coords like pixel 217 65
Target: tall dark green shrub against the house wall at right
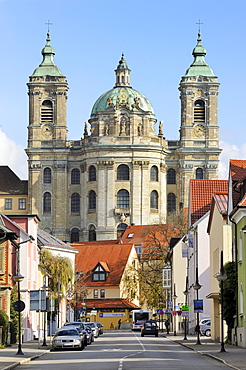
pixel 229 296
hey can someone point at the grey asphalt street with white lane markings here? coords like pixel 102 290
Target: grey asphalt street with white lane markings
pixel 126 351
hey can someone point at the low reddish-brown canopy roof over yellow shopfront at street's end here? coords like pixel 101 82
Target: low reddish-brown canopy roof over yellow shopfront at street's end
pixel 108 303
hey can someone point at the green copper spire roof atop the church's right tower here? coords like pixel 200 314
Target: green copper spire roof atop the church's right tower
pixel 199 67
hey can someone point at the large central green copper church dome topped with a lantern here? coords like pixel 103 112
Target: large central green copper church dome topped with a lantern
pixel 122 94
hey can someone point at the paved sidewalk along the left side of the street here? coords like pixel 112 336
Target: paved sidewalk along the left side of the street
pixel 9 359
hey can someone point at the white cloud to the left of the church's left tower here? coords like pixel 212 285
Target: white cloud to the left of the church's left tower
pixel 13 155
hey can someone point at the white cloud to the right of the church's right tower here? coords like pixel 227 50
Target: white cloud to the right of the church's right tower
pixel 230 151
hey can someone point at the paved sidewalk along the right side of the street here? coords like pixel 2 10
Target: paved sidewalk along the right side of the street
pixel 234 357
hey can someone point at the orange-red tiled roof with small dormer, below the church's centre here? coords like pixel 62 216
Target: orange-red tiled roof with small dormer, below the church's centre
pixel 115 256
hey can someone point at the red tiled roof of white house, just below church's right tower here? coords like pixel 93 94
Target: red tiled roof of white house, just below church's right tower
pixel 201 192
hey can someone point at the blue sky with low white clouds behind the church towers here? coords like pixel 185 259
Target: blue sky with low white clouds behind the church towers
pixel 157 38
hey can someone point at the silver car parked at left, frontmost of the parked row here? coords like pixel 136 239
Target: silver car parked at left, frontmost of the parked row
pixel 67 337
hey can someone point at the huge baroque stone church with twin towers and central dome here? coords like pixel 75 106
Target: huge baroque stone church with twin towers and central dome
pixel 123 171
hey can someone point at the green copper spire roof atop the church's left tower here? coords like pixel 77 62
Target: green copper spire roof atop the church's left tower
pixel 47 67
